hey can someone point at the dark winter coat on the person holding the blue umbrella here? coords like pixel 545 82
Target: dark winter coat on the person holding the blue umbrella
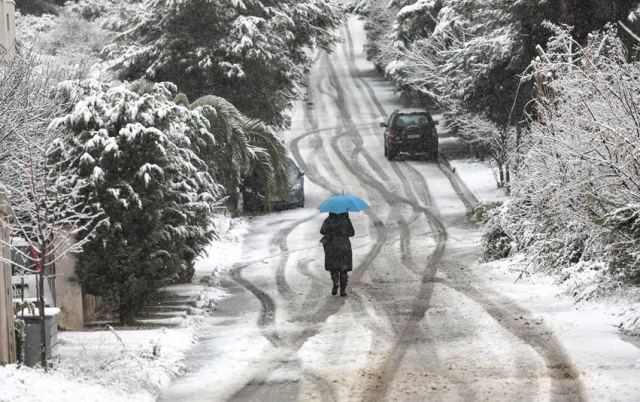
pixel 337 229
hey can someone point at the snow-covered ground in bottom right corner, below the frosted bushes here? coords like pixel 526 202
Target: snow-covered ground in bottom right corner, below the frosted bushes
pixel 608 363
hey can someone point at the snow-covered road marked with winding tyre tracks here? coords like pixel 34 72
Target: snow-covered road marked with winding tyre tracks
pixel 418 323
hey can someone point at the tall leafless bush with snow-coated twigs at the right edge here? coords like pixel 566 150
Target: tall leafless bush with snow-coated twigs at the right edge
pixel 574 208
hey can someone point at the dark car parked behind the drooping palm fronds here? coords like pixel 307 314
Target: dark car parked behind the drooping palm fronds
pixel 253 193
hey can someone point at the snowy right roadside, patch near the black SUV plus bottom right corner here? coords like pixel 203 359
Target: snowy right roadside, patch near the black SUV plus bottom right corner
pixel 609 369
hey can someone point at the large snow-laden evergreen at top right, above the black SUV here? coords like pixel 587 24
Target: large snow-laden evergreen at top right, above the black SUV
pixel 467 55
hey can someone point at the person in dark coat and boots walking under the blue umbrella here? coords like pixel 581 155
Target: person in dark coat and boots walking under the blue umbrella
pixel 338 259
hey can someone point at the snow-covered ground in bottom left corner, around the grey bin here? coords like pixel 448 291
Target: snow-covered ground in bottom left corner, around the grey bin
pixel 129 365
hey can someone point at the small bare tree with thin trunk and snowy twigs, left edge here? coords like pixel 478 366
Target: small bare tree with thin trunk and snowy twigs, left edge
pixel 43 191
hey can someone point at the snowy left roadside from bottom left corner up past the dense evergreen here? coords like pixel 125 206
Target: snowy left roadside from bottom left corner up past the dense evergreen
pixel 129 364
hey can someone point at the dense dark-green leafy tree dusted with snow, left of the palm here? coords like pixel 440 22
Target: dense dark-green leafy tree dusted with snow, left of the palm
pixel 145 158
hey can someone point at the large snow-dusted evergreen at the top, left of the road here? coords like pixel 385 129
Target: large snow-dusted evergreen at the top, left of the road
pixel 252 53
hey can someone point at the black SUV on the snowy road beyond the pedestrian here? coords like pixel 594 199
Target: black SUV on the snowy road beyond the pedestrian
pixel 410 131
